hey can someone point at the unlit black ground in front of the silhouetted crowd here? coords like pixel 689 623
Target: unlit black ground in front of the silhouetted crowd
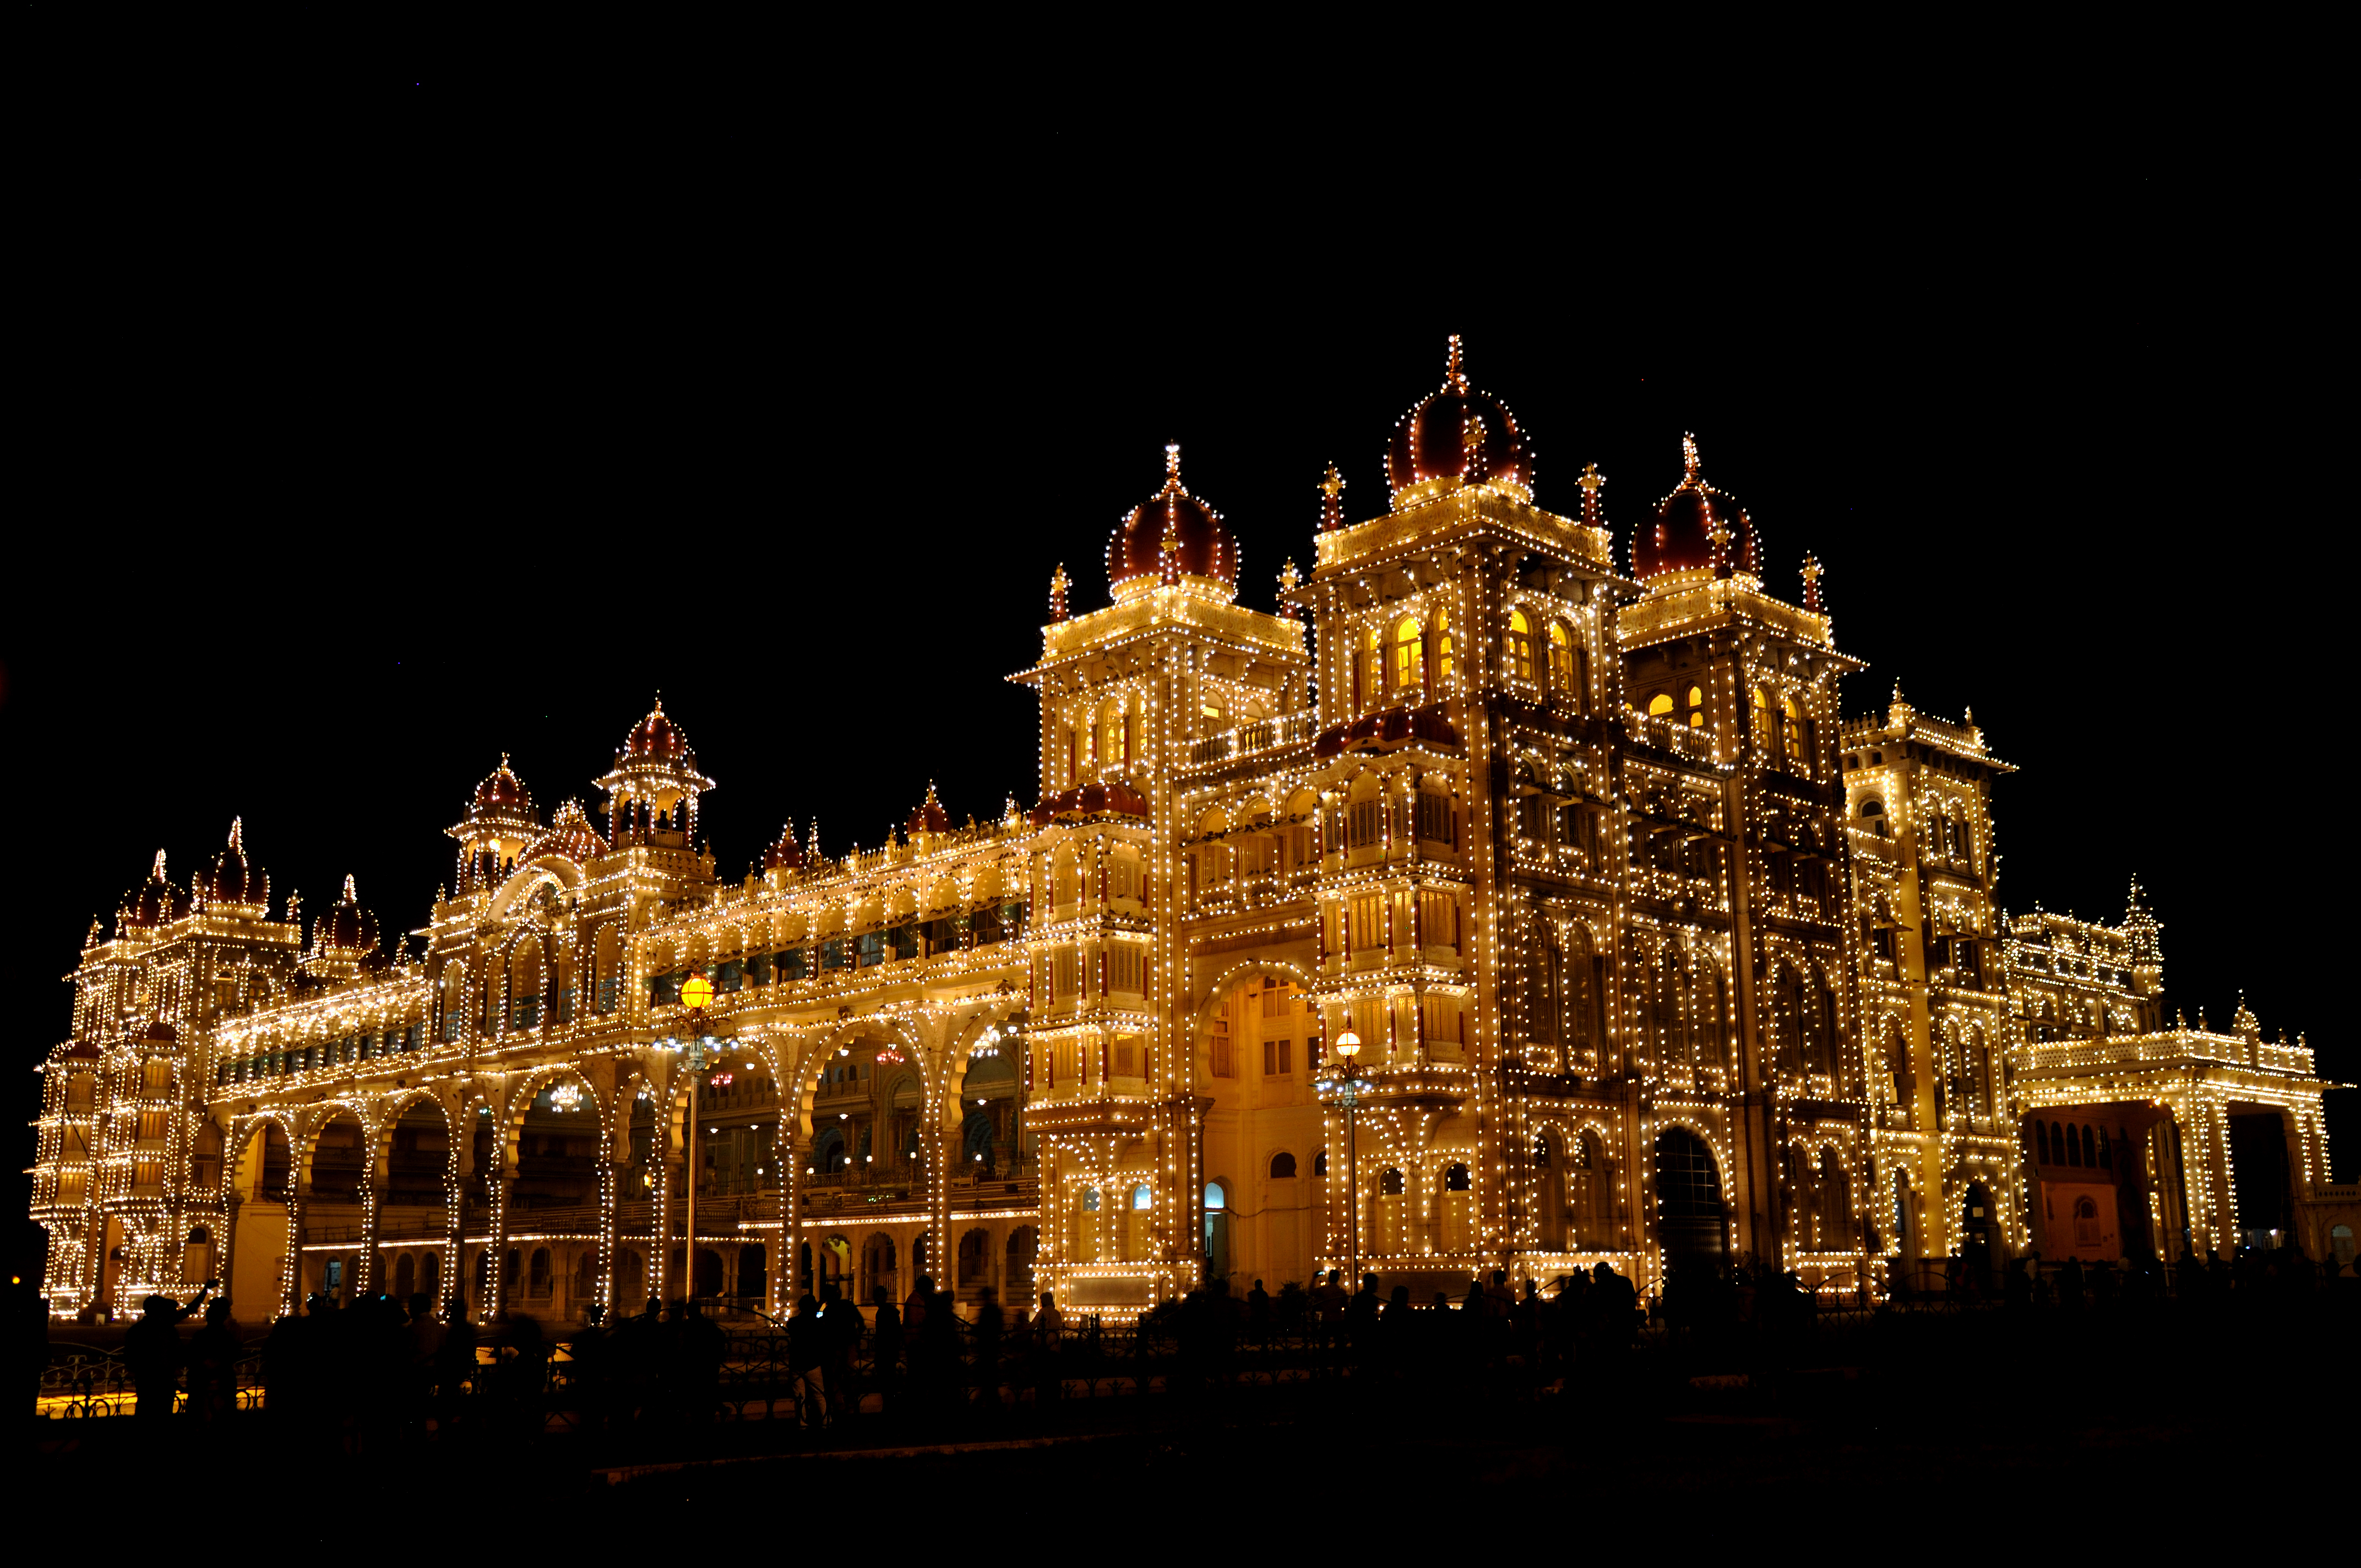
pixel 1930 1437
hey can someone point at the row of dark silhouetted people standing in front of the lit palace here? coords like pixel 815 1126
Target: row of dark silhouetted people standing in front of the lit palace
pixel 379 1373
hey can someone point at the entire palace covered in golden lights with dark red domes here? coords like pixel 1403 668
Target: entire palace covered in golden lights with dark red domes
pixel 1652 960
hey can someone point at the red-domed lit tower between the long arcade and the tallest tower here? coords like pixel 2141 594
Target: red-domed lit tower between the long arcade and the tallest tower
pixel 1172 674
